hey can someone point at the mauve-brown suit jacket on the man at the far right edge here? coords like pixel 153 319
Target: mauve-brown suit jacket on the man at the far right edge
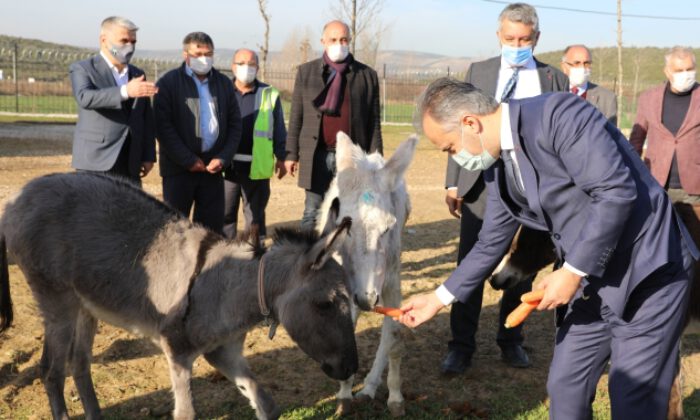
pixel 661 144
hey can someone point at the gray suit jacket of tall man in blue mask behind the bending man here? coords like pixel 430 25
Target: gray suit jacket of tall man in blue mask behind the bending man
pixel 484 75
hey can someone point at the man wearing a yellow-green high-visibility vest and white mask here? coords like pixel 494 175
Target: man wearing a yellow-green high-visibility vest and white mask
pixel 261 152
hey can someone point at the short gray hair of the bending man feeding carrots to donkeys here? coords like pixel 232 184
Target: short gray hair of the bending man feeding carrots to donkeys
pixel 447 99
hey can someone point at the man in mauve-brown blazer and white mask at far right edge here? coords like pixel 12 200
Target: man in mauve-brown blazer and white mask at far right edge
pixel 668 118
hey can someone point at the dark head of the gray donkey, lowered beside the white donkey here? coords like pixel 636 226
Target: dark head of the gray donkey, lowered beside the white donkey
pixel 315 306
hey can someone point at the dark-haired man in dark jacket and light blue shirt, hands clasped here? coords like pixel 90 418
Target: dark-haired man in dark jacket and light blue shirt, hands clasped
pixel 198 126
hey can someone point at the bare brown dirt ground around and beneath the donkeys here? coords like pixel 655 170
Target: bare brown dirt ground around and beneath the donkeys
pixel 131 376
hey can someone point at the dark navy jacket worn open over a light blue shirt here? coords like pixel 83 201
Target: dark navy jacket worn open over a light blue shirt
pixel 176 109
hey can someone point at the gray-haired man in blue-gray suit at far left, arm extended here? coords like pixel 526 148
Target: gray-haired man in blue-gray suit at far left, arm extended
pixel 115 131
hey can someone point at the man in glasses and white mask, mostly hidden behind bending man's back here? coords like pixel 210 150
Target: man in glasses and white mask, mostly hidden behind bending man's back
pixel 576 63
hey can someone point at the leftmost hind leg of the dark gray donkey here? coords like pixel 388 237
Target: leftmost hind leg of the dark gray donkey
pixel 57 341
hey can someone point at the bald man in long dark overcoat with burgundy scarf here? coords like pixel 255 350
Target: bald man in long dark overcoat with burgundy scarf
pixel 331 94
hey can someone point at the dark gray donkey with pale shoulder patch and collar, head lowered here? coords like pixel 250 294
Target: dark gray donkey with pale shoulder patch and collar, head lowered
pixel 94 247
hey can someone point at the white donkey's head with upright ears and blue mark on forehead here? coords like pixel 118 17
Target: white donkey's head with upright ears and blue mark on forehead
pixel 372 192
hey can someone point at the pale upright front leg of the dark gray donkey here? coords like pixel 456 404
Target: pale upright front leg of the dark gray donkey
pixel 180 376
